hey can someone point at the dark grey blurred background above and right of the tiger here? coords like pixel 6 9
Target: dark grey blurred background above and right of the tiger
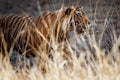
pixel 104 14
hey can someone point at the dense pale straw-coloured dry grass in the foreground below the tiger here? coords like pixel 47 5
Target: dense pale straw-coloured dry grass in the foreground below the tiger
pixel 84 67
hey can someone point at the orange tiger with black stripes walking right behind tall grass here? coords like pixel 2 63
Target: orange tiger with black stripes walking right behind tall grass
pixel 26 34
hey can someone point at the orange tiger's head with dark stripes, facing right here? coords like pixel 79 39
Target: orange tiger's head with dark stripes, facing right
pixel 78 20
